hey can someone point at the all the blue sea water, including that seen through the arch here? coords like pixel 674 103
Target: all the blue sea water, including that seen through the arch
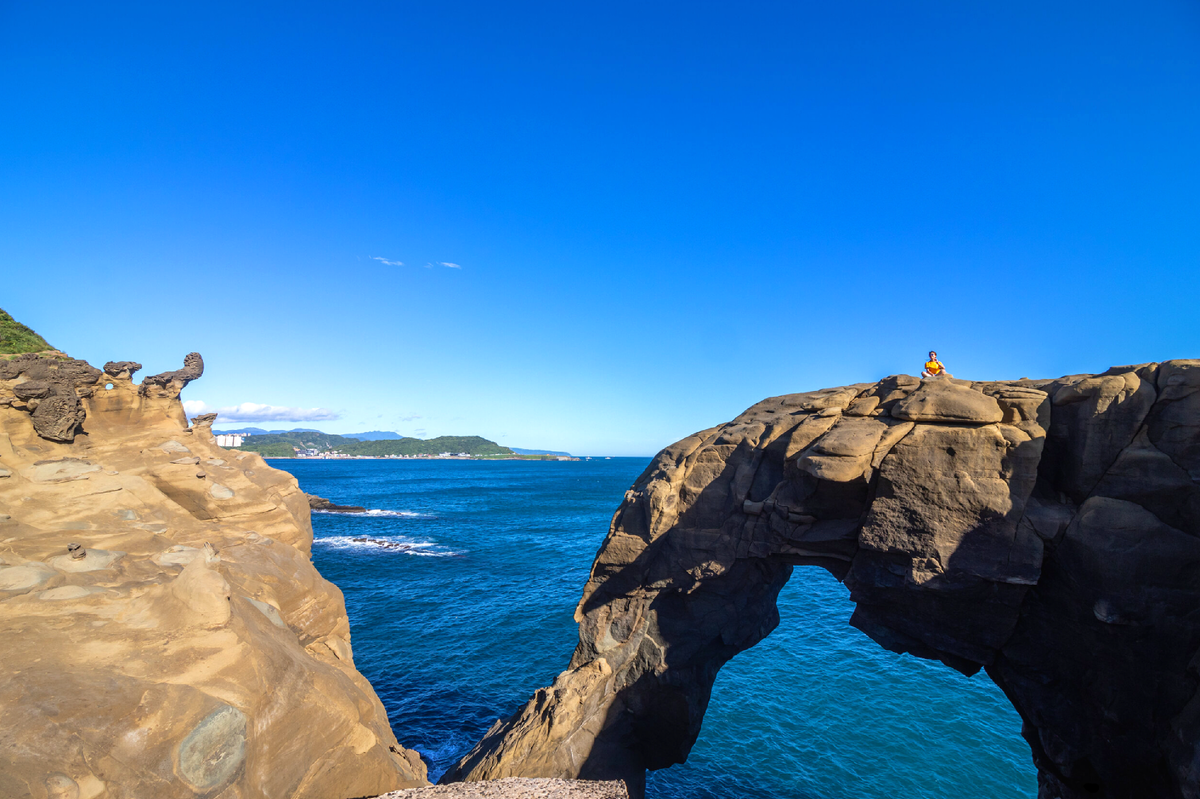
pixel 461 604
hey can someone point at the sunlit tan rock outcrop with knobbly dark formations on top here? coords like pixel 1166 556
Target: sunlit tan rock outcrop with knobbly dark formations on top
pixel 166 633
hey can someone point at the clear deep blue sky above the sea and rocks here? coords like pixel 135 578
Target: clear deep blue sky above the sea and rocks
pixel 658 214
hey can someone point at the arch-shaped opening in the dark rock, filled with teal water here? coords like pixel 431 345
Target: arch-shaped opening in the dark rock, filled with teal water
pixel 819 710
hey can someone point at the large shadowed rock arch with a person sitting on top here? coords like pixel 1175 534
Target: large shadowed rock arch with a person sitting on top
pixel 1045 531
